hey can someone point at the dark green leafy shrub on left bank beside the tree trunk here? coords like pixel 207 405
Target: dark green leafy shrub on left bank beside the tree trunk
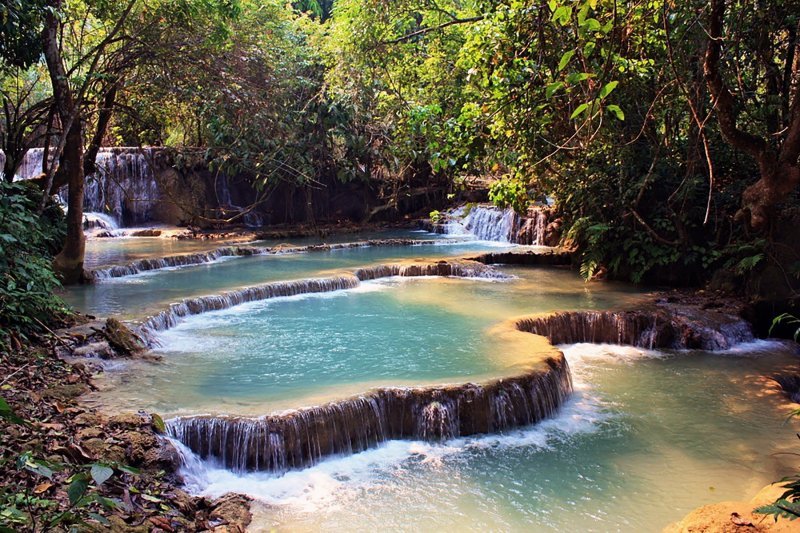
pixel 28 242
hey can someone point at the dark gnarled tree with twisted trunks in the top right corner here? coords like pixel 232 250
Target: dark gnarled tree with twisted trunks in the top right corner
pixel 765 42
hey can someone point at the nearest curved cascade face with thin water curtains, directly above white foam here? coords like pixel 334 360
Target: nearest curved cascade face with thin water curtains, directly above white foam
pixel 301 438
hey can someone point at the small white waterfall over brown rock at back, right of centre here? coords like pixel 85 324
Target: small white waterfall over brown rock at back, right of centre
pixel 493 224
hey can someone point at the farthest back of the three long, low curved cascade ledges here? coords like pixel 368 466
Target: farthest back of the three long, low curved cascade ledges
pixel 145 265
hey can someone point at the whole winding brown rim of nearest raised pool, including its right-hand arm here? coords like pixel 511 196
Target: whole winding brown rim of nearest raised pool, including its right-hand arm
pixel 300 438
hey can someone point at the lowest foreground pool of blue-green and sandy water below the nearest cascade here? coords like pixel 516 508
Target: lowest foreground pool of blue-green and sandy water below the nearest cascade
pixel 646 438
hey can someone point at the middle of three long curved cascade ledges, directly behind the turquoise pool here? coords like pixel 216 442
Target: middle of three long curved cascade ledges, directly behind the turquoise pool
pixel 170 317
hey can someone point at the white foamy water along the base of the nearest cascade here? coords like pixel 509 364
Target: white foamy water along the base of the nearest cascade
pixel 336 478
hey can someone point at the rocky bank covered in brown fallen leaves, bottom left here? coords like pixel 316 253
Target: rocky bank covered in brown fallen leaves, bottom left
pixel 63 464
